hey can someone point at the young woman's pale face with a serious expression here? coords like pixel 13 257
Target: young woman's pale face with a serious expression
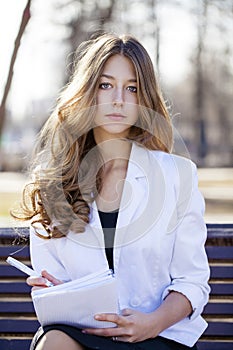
pixel 117 108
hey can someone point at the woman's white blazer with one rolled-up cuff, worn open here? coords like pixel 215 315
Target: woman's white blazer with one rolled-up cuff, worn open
pixel 159 241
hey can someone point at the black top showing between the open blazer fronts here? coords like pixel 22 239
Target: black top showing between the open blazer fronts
pixel 108 221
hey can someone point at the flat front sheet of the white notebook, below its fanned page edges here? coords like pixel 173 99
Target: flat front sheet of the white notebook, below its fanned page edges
pixel 78 307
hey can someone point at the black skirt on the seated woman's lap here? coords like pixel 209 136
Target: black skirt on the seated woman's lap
pixel 103 343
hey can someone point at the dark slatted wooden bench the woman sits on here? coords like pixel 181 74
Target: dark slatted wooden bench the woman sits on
pixel 18 322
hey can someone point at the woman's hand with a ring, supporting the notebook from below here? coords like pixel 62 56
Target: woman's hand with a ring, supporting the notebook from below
pixel 131 326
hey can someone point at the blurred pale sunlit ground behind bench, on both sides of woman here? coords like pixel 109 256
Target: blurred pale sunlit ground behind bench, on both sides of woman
pixel 216 185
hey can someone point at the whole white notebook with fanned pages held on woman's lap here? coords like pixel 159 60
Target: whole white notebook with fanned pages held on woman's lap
pixel 75 303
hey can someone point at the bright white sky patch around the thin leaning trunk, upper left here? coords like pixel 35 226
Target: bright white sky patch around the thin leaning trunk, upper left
pixel 35 76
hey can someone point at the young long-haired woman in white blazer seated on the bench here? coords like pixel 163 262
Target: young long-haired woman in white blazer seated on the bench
pixel 108 193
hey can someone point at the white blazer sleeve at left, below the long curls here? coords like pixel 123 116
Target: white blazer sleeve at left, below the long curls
pixel 44 256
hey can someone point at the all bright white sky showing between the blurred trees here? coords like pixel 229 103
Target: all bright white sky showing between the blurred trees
pixel 41 53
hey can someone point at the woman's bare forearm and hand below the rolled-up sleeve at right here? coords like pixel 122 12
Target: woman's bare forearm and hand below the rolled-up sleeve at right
pixel 134 326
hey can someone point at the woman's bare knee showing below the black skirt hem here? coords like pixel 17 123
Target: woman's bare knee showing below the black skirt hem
pixel 57 340
